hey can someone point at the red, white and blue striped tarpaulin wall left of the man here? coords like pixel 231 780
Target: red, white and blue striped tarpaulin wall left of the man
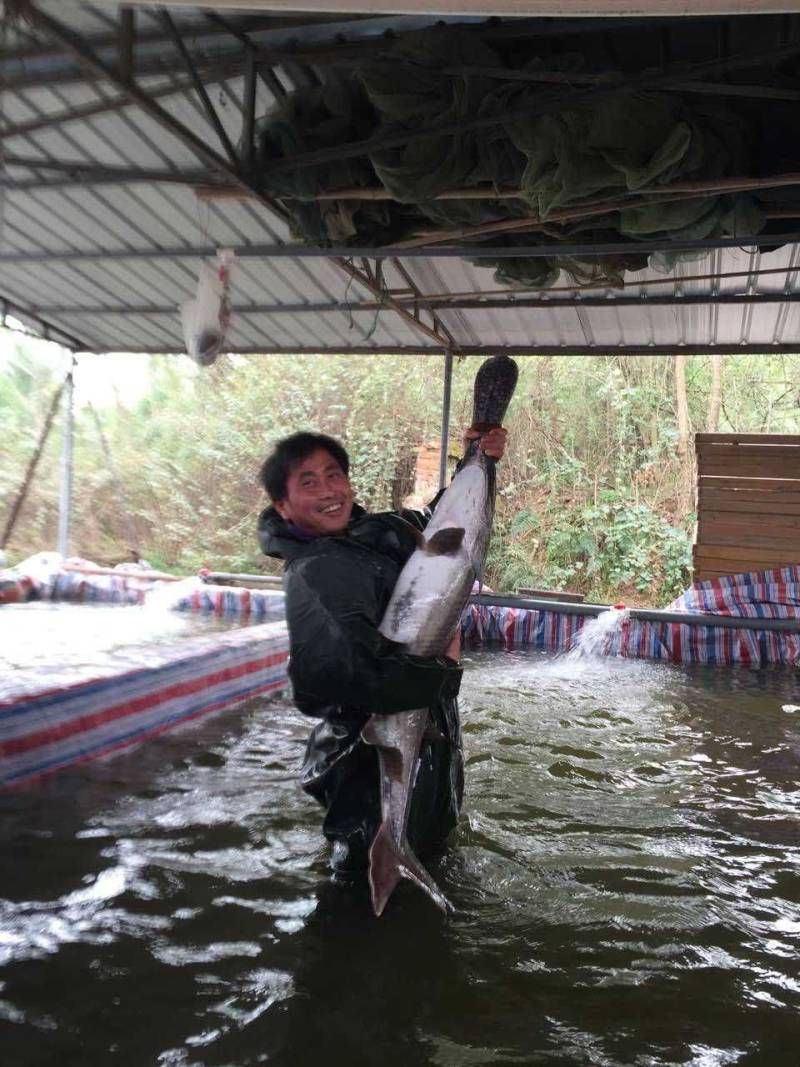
pixel 43 730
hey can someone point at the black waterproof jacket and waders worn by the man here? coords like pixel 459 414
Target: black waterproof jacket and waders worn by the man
pixel 343 671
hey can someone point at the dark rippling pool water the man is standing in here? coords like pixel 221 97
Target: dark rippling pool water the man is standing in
pixel 627 877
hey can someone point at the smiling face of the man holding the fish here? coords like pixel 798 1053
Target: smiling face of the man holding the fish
pixel 319 499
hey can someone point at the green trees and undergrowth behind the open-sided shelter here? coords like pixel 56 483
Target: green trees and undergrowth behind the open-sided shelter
pixel 591 495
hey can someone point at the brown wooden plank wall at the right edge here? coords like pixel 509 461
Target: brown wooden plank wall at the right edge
pixel 748 503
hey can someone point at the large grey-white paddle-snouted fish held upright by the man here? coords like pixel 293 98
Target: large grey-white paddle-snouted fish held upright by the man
pixel 423 615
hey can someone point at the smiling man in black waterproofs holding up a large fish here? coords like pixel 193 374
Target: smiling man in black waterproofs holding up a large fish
pixel 342 566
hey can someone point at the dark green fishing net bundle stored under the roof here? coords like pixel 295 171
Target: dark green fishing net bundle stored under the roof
pixel 615 146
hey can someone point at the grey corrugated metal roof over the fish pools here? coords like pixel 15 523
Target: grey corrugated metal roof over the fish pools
pixel 104 266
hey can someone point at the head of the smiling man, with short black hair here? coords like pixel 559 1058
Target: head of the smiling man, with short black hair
pixel 307 479
